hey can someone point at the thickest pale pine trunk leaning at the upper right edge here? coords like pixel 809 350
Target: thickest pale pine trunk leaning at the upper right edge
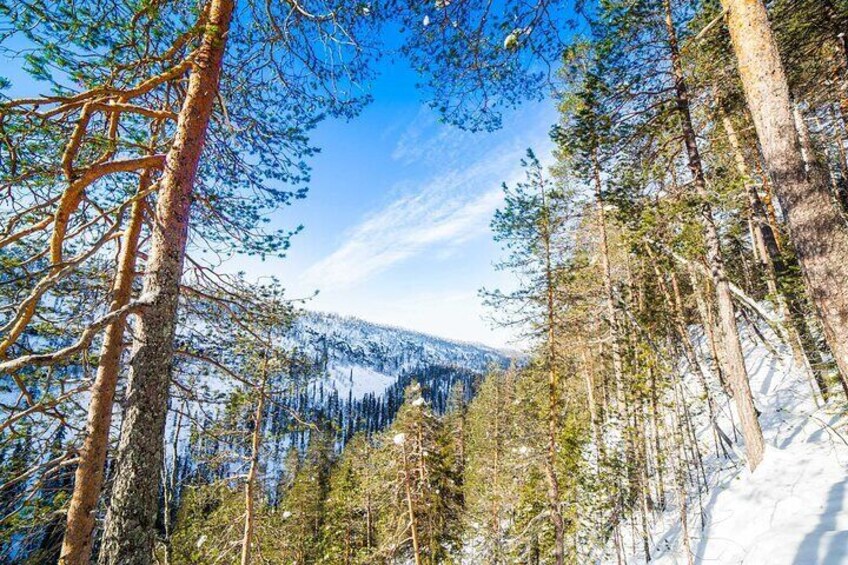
pixel 818 231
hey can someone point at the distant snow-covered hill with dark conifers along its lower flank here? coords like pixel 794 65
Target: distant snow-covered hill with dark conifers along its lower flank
pixel 360 373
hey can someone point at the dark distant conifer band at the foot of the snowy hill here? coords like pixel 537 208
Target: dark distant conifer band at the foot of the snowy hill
pixel 204 436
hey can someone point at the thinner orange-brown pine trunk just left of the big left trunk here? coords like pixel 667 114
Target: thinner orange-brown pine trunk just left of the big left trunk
pixel 88 481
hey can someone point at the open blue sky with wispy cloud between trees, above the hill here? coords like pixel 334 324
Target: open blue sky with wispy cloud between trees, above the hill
pixel 396 224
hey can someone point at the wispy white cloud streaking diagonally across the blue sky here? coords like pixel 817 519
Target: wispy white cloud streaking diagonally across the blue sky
pixel 435 216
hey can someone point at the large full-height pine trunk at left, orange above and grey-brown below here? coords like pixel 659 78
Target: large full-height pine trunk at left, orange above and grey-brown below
pixel 130 522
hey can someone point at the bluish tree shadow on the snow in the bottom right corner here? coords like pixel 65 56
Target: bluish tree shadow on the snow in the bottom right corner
pixel 825 537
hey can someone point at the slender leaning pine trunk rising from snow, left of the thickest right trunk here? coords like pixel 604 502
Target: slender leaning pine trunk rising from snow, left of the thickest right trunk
pixel 732 347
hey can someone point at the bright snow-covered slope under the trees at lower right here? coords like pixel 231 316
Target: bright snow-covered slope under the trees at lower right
pixel 793 509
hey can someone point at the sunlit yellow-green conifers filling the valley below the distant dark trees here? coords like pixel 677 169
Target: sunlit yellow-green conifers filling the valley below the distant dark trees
pixel 432 488
